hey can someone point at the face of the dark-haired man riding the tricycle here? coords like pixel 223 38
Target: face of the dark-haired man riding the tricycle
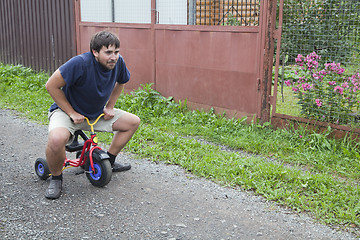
pixel 107 56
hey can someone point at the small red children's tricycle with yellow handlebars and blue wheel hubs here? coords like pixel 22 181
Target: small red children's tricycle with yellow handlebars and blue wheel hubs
pixel 89 156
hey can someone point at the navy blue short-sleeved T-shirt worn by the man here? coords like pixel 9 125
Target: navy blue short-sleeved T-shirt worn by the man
pixel 89 85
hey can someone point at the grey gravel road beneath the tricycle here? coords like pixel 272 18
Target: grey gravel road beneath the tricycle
pixel 151 201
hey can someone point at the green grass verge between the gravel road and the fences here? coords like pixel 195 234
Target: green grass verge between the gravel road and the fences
pixel 298 168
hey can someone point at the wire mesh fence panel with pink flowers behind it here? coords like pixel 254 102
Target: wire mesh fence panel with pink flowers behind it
pixel 320 56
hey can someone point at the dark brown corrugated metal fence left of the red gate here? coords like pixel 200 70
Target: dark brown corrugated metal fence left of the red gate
pixel 37 33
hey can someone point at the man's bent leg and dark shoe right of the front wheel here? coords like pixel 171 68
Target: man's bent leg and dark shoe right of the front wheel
pixel 125 128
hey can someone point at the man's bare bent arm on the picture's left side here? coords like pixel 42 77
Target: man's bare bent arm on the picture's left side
pixel 53 86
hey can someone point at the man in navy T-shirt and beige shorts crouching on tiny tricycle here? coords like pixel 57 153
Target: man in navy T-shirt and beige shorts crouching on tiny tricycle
pixel 88 85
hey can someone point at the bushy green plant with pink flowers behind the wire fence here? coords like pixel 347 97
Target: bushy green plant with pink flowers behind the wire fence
pixel 325 94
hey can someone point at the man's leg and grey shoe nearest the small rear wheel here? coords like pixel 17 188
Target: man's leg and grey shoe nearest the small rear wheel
pixel 55 157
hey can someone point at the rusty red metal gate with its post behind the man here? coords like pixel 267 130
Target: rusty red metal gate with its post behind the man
pixel 228 68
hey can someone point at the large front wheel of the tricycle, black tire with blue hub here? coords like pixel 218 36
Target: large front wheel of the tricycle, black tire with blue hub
pixel 103 171
